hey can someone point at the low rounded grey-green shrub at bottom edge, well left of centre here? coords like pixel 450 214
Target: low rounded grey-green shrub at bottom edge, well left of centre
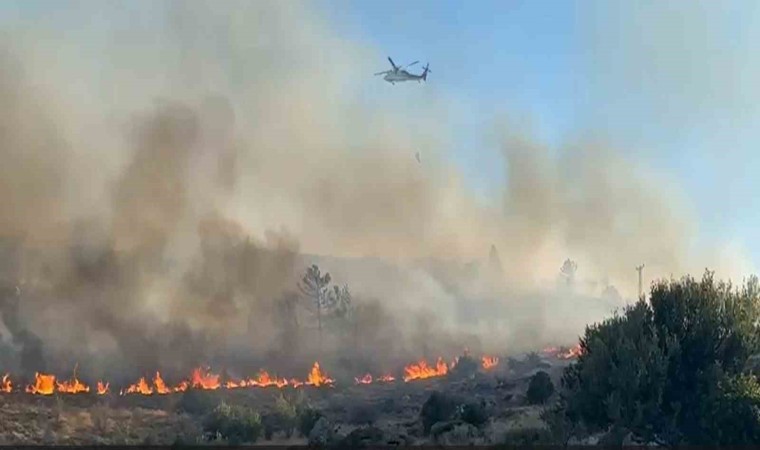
pixel 236 424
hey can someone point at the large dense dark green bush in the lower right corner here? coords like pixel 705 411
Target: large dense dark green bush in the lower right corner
pixel 670 370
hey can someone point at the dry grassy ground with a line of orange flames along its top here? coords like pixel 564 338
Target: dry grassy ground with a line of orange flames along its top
pixel 178 412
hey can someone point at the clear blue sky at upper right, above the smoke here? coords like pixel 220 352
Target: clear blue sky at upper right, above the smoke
pixel 670 83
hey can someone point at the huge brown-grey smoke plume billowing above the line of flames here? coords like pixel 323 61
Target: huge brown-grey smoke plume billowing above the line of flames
pixel 161 198
